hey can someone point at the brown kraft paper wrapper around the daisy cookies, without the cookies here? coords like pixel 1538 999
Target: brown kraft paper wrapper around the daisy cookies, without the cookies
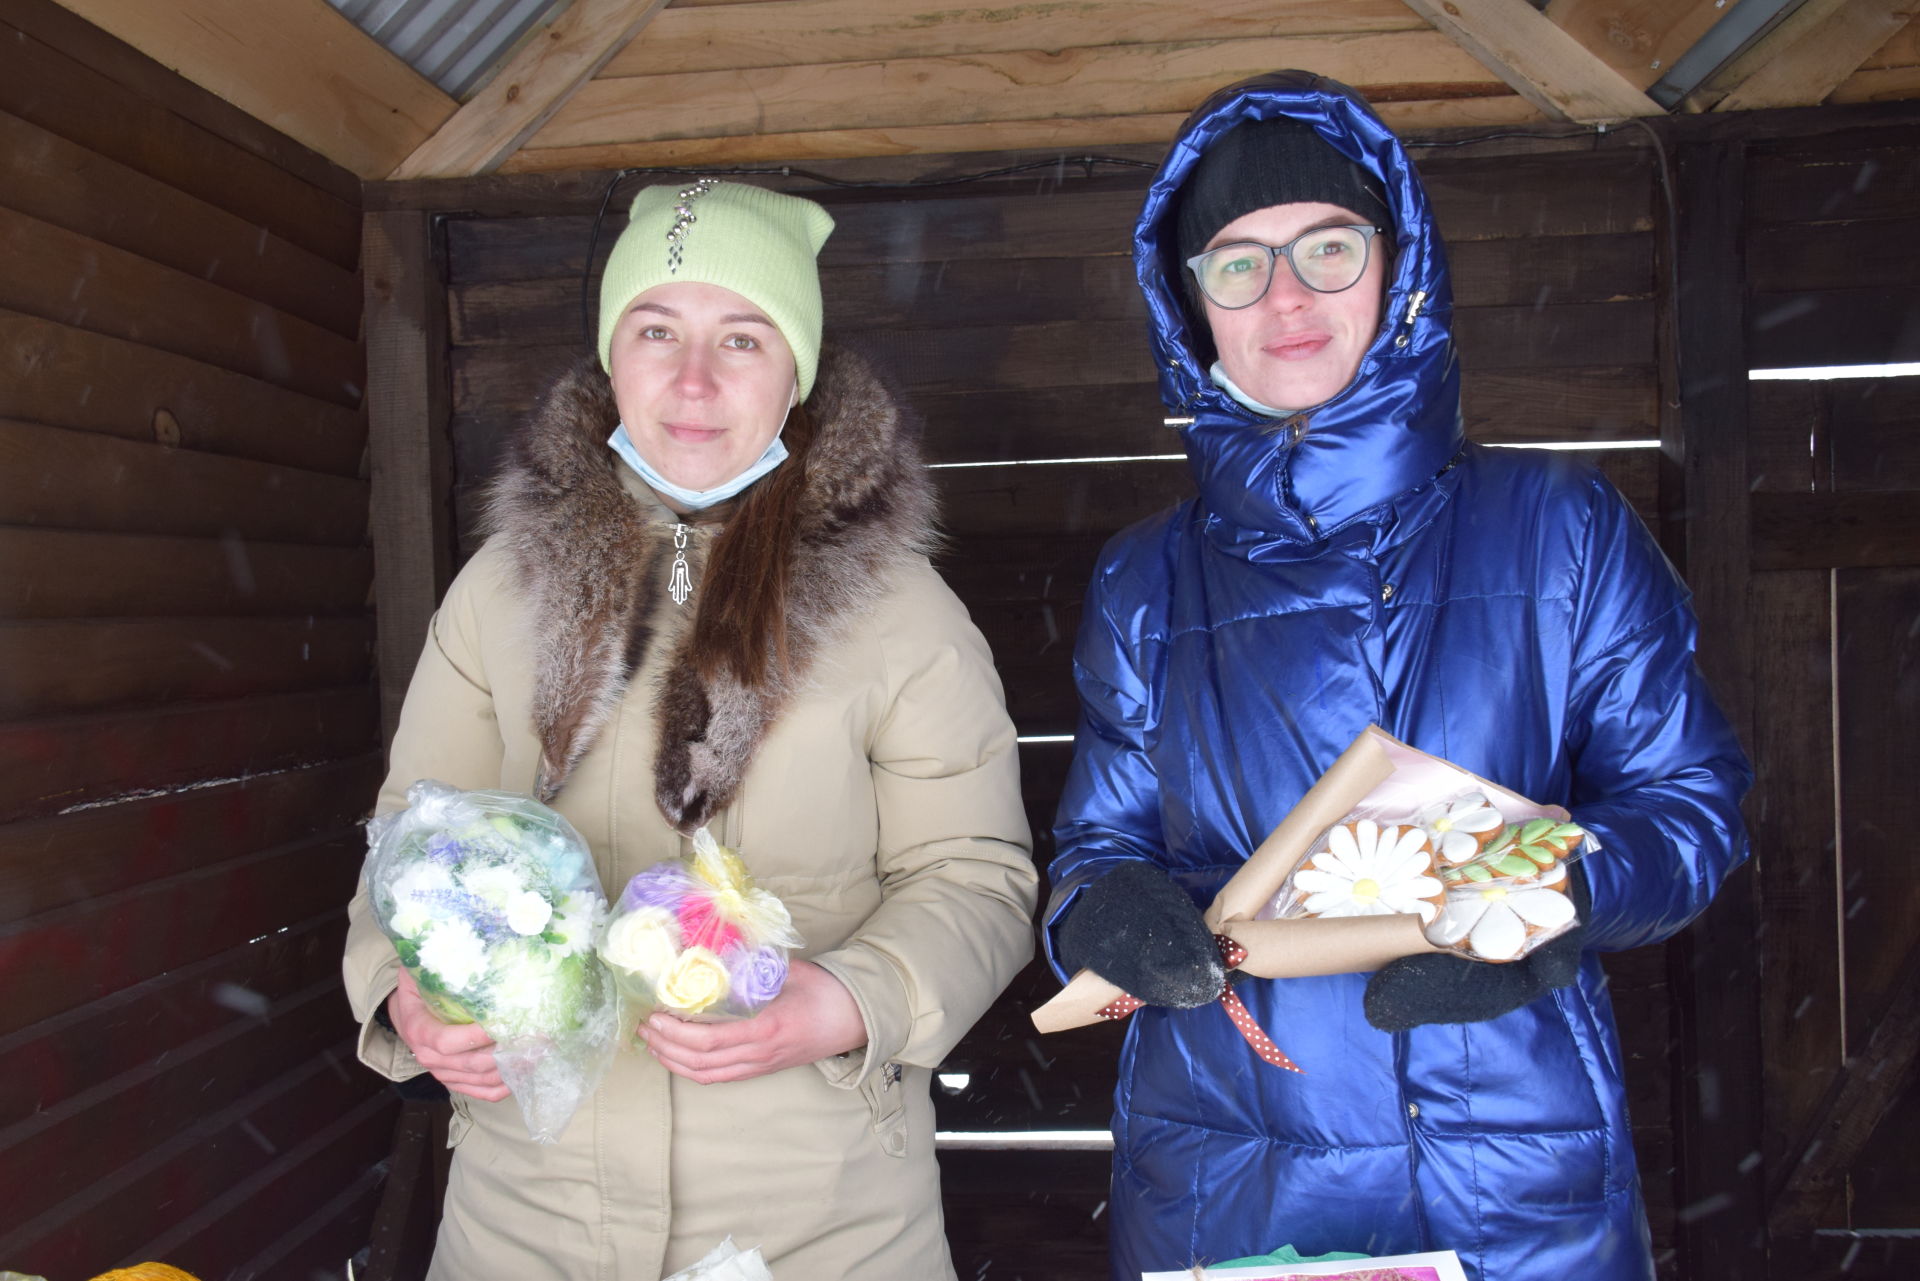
pixel 1376 769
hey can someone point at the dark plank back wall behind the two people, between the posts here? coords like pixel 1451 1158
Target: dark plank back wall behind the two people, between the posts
pixel 1009 314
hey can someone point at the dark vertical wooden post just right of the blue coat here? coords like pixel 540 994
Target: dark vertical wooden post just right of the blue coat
pixel 1717 1040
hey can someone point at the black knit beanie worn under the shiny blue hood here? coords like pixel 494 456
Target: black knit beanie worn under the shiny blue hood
pixel 1260 164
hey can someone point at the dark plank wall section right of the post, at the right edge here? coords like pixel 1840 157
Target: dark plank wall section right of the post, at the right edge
pixel 1835 473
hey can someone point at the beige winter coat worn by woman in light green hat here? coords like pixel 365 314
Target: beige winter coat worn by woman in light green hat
pixel 878 800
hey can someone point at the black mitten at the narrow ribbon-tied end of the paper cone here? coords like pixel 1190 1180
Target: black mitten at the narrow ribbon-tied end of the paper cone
pixel 1141 932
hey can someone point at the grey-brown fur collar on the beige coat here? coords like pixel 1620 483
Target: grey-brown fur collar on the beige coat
pixel 592 566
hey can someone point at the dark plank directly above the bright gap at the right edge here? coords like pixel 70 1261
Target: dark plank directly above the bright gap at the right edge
pixel 1835 327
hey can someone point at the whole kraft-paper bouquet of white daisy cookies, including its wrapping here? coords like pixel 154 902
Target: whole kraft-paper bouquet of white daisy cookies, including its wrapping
pixel 1422 867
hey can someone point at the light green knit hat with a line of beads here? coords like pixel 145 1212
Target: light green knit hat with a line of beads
pixel 746 239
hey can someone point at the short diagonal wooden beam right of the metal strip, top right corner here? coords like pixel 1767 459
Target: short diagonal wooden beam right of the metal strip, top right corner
pixel 1810 55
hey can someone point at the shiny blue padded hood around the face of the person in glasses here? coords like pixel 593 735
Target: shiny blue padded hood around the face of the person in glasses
pixel 1280 487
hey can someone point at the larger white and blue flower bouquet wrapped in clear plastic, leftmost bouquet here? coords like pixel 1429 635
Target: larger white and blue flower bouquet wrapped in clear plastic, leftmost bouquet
pixel 492 904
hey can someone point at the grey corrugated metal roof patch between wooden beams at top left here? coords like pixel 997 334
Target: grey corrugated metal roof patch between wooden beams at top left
pixel 452 43
